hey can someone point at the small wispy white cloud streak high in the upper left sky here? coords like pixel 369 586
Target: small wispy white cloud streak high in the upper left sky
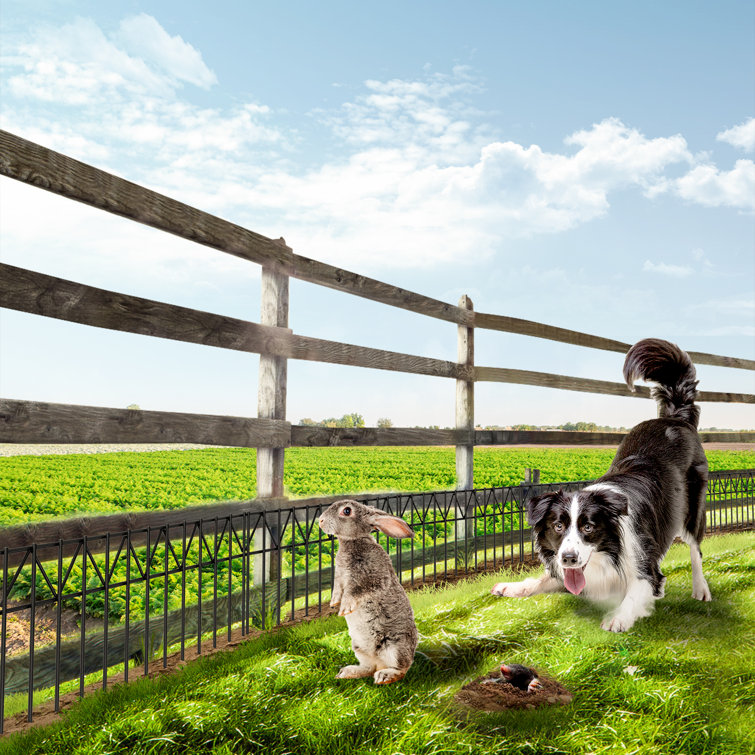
pixel 144 36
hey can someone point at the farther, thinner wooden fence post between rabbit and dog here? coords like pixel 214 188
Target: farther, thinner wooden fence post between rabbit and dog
pixel 465 422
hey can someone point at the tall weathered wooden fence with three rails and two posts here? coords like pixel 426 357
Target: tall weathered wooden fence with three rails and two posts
pixel 270 432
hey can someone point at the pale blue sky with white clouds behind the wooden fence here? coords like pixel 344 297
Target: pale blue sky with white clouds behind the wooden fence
pixel 586 164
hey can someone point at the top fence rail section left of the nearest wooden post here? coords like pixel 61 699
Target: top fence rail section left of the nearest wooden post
pixel 50 170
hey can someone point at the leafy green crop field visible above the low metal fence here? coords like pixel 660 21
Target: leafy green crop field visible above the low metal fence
pixel 37 488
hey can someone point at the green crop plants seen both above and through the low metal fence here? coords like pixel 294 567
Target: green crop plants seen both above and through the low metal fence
pixel 34 488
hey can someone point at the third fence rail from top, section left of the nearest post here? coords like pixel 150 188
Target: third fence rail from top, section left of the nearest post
pixel 38 422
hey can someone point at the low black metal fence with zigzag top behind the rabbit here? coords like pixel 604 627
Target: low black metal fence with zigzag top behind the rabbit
pixel 81 612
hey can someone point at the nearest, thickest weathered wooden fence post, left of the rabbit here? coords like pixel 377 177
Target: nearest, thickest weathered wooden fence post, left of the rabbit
pixel 271 404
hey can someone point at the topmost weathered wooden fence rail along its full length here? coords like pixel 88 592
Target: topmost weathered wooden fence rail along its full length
pixel 50 170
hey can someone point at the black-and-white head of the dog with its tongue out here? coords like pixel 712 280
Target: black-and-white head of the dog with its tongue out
pixel 569 527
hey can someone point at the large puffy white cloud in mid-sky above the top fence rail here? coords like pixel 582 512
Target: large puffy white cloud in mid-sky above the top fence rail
pixel 400 202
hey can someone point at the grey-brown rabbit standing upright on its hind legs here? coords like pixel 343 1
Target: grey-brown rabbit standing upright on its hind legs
pixel 378 613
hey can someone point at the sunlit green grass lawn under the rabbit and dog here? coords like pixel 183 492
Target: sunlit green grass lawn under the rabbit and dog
pixel 694 691
